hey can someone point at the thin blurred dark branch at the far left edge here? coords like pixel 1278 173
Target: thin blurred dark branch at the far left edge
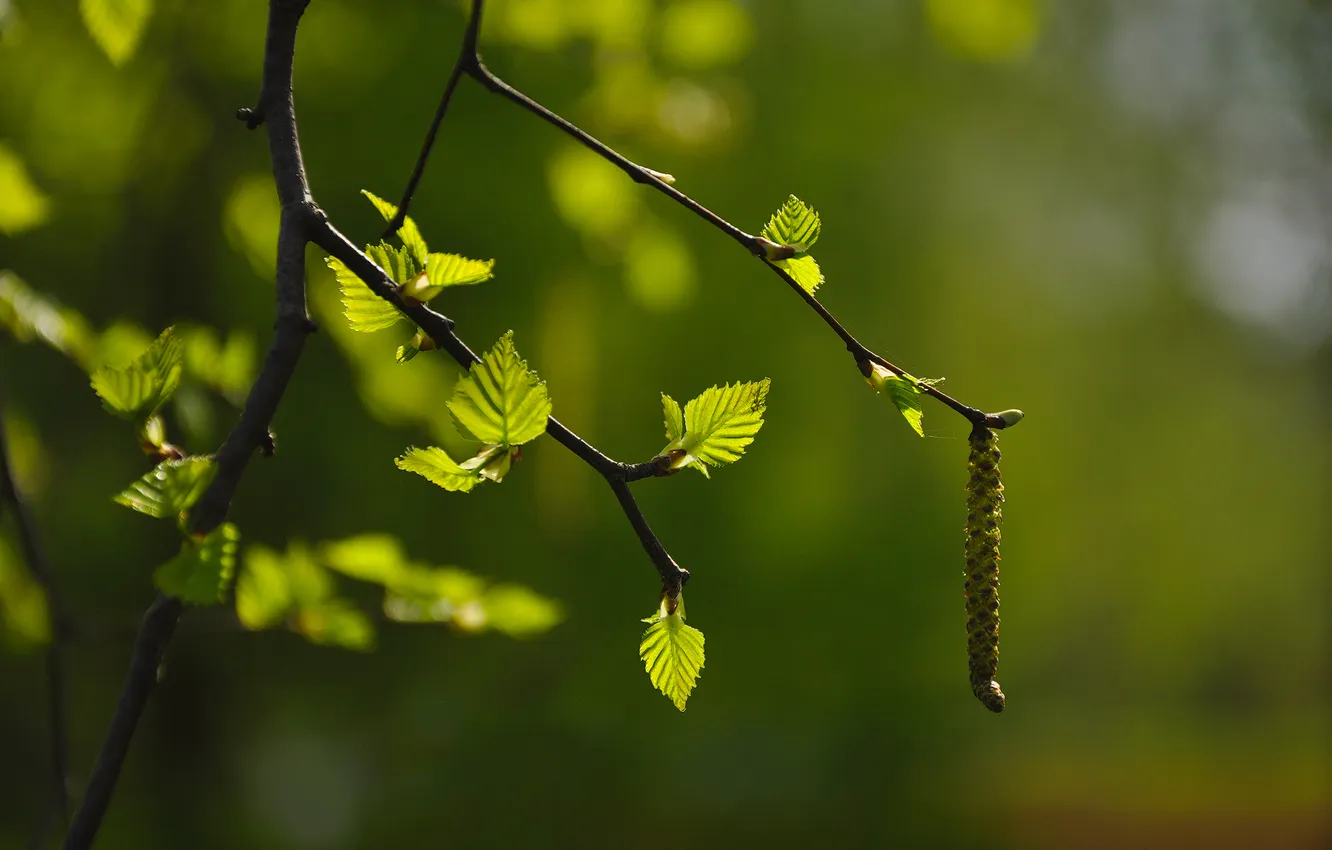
pixel 41 570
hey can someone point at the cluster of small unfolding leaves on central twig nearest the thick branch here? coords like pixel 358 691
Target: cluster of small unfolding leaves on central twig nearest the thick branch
pixel 419 274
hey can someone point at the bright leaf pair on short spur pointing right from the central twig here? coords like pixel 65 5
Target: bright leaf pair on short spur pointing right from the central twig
pixel 713 428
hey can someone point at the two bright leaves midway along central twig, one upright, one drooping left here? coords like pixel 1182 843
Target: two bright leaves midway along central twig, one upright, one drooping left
pixel 500 404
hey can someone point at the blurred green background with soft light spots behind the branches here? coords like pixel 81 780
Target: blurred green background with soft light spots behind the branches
pixel 1113 215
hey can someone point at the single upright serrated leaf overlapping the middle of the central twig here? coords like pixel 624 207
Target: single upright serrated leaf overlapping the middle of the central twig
pixel 500 402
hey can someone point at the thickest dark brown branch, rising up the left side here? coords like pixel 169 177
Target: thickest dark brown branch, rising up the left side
pixel 252 432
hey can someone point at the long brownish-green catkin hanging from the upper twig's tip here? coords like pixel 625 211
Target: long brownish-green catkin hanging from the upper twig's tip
pixel 985 500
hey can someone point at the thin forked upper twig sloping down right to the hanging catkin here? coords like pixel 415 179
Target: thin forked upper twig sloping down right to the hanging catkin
pixel 470 62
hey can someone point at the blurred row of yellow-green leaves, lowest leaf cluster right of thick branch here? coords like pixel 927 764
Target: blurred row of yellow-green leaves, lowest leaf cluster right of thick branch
pixel 298 590
